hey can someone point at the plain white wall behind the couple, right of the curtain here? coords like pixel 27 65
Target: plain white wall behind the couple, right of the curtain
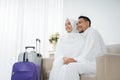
pixel 104 15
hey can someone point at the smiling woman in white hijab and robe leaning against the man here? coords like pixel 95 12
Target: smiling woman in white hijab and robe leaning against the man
pixel 66 47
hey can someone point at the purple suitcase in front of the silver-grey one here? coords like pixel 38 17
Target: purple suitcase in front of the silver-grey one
pixel 25 70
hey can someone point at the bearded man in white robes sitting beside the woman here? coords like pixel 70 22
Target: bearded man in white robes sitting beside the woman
pixel 86 62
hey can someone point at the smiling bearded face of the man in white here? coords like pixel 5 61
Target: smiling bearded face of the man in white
pixel 82 25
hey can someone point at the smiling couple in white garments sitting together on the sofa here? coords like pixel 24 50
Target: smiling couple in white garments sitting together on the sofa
pixel 77 50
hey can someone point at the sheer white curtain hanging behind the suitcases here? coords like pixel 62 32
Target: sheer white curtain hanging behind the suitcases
pixel 21 22
